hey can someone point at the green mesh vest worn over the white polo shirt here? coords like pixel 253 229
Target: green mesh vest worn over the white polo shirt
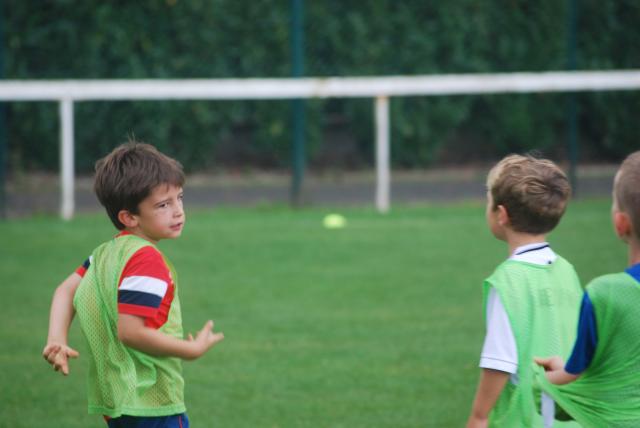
pixel 542 303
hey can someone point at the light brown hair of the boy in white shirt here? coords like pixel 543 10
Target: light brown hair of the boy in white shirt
pixel 533 191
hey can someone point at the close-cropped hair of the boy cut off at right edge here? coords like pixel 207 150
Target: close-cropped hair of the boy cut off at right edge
pixel 626 190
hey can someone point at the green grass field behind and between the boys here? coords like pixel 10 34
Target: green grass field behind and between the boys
pixel 375 325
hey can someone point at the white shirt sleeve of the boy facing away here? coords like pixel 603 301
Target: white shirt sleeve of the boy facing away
pixel 499 351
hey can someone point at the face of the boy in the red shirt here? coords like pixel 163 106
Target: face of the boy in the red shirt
pixel 161 214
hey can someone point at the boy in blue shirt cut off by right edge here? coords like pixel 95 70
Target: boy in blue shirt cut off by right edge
pixel 600 383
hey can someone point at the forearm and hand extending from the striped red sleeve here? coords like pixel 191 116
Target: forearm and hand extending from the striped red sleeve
pixel 134 334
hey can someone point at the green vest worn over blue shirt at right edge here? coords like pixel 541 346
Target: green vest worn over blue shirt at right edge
pixel 607 394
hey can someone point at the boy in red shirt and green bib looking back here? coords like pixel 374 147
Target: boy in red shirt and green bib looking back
pixel 126 297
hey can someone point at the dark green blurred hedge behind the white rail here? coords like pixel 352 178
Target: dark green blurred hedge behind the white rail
pixel 92 39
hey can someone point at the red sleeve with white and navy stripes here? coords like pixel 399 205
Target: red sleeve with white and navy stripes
pixel 143 284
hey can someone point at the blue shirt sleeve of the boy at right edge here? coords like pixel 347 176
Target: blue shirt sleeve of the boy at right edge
pixel 586 341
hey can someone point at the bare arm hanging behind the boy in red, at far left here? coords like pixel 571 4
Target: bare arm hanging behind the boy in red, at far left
pixel 56 351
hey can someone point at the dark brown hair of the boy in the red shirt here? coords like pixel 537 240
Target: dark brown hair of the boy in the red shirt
pixel 129 174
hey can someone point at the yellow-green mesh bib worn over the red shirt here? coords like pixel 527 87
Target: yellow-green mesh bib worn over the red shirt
pixel 123 381
